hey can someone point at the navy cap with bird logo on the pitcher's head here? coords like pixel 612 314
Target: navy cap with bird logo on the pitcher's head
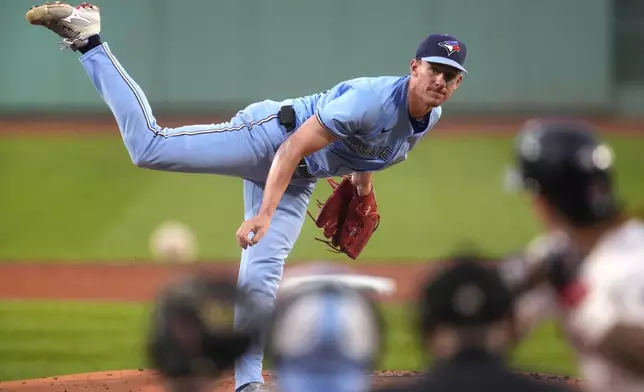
pixel 443 49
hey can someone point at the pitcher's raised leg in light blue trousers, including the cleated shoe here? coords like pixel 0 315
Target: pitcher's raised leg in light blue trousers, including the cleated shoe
pixel 230 148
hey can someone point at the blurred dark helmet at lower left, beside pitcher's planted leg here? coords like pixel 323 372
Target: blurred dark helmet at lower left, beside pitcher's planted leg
pixel 191 330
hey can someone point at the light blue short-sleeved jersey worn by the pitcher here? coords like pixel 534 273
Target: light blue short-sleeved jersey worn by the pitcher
pixel 370 117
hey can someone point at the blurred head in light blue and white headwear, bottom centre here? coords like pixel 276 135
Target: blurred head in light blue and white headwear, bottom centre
pixel 325 337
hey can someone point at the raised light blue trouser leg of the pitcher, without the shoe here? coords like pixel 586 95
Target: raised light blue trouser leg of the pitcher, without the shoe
pixel 230 148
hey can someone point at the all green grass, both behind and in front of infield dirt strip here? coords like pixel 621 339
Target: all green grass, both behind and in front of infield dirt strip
pixel 82 199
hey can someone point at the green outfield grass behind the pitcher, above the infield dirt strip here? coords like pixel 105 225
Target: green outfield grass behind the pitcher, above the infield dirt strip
pixel 83 199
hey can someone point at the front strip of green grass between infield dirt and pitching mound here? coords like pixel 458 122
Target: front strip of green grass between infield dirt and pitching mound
pixel 39 339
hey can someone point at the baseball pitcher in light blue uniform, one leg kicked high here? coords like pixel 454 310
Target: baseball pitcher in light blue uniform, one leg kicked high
pixel 279 149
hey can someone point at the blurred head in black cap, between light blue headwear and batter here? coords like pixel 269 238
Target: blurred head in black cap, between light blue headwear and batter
pixel 465 306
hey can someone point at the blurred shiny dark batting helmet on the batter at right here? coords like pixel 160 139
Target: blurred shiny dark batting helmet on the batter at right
pixel 568 164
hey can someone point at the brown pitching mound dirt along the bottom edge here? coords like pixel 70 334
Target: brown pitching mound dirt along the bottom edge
pixel 148 381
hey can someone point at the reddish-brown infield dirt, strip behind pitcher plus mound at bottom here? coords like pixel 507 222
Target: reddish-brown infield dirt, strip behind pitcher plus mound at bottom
pixel 140 283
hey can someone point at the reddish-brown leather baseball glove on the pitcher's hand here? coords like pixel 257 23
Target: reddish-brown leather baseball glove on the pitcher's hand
pixel 347 219
